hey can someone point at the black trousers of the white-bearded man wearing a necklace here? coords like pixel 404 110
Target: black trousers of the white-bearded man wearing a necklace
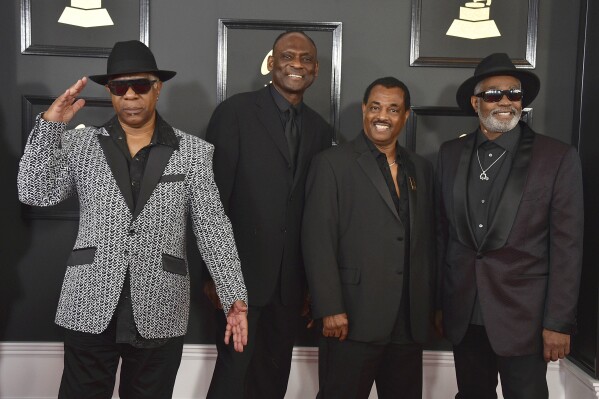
pixel 477 366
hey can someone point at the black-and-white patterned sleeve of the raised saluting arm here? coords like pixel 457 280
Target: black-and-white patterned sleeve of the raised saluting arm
pixel 44 178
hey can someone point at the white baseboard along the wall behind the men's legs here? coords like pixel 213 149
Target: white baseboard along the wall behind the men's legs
pixel 31 370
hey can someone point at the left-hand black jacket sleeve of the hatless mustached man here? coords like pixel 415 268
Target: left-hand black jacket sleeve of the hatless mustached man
pixel 320 239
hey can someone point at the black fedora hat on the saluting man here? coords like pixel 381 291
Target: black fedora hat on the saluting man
pixel 131 57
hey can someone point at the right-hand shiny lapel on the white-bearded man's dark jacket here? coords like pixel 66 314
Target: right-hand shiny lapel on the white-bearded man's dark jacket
pixel 511 195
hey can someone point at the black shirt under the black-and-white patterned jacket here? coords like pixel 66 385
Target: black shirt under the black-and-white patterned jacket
pixel 126 331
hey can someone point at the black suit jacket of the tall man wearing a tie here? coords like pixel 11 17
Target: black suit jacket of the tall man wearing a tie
pixel 260 193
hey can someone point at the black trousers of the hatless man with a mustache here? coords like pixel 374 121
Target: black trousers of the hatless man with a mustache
pixel 348 369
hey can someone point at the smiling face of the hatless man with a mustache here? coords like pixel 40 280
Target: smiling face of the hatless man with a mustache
pixel 384 115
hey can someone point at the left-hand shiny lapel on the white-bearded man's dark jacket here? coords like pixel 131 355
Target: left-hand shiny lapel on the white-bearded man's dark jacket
pixel 460 194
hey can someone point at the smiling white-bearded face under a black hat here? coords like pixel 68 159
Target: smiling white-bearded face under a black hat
pixel 499 117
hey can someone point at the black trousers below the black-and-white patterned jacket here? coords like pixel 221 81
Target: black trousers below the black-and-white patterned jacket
pixel 91 361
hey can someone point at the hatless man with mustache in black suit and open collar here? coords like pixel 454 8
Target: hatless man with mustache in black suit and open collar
pixel 368 241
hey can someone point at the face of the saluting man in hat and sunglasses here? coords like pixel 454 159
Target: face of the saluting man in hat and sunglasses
pixel 137 110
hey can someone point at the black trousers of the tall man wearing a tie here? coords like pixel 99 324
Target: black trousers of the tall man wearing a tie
pixel 261 371
